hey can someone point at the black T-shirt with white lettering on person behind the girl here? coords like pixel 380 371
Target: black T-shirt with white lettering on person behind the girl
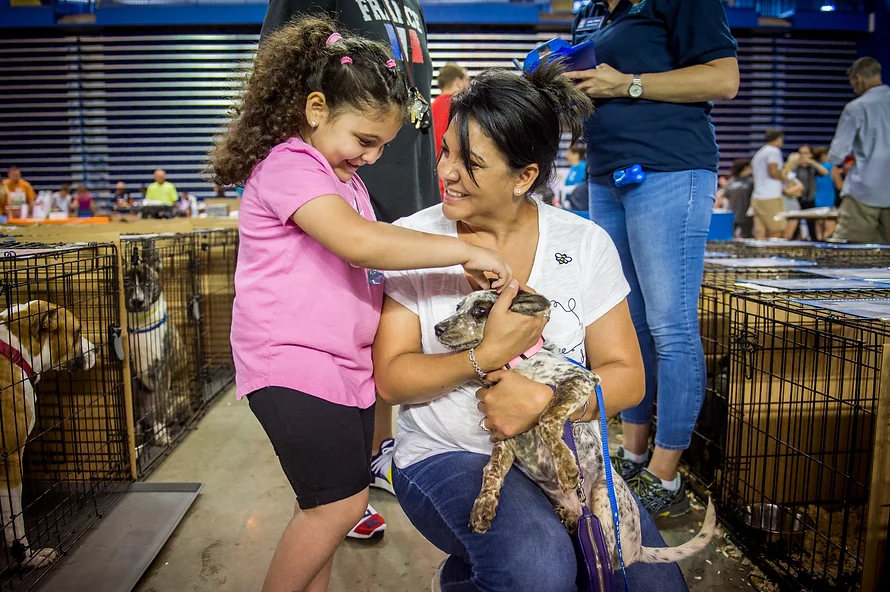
pixel 404 180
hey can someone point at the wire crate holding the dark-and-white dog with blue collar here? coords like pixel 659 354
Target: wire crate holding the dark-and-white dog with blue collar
pixel 160 295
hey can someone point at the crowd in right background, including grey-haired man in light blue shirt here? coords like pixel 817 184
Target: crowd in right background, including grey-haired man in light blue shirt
pixel 764 190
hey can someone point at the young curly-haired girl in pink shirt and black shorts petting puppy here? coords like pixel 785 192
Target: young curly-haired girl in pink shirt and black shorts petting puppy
pixel 316 108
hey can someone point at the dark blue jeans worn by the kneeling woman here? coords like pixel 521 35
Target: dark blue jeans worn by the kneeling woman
pixel 527 548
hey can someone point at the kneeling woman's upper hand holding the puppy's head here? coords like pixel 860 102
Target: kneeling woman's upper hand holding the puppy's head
pixel 507 333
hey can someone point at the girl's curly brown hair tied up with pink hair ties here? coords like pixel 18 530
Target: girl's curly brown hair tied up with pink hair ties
pixel 291 64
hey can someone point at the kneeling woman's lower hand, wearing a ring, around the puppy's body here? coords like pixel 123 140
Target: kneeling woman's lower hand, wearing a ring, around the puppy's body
pixel 512 404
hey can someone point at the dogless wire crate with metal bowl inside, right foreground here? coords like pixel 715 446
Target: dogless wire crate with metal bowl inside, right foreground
pixel 807 374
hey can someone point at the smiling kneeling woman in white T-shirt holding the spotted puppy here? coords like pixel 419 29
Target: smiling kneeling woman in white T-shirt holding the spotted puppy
pixel 499 149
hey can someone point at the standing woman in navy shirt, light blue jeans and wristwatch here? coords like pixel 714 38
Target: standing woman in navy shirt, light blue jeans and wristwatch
pixel 661 62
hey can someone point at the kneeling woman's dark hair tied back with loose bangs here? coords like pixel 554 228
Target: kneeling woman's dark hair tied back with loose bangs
pixel 524 115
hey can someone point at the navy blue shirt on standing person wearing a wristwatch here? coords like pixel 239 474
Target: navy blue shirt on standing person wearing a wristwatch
pixel 653 36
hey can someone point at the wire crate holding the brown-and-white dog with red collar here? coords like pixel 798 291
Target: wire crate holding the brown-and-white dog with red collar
pixel 64 430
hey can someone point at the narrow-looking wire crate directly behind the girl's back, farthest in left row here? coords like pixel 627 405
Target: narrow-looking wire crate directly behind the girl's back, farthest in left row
pixel 217 254
